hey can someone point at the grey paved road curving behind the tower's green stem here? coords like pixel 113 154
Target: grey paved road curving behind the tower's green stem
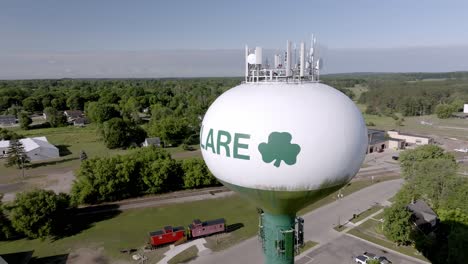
pixel 318 224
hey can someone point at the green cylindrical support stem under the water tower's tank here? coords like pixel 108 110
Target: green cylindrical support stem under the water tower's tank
pixel 279 238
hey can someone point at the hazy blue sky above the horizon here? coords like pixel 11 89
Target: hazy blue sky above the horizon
pixel 61 31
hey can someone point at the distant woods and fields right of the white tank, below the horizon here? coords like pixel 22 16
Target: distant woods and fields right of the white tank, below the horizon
pixel 411 94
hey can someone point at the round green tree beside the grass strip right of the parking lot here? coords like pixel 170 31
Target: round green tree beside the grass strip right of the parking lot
pixel 396 225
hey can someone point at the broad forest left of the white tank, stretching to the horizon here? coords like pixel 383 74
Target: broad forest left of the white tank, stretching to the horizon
pixel 173 109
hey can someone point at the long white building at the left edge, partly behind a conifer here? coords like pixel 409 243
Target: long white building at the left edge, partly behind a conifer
pixel 36 149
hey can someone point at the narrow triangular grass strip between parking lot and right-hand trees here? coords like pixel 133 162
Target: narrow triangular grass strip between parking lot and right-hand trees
pixel 371 231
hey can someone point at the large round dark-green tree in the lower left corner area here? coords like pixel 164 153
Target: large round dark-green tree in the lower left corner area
pixel 39 213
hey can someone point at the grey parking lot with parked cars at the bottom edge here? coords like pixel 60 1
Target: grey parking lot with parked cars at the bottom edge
pixel 344 250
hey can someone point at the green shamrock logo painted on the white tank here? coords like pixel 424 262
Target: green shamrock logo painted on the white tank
pixel 279 148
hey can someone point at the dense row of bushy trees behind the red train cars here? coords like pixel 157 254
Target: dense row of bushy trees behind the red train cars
pixel 147 170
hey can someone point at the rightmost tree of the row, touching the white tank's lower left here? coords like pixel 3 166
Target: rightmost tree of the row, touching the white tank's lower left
pixel 197 174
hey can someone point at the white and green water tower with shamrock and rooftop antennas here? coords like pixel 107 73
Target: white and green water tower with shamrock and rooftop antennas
pixel 283 140
